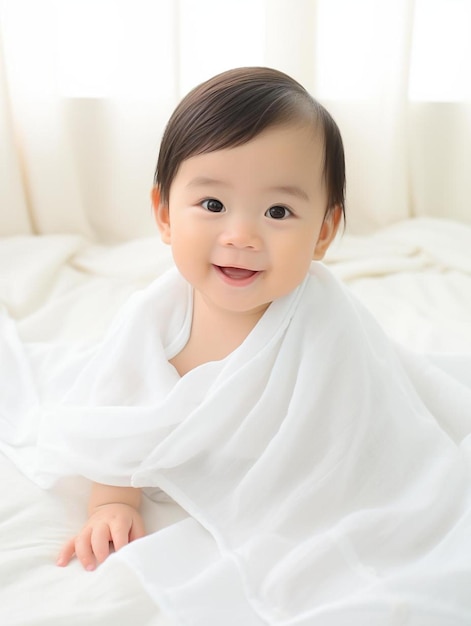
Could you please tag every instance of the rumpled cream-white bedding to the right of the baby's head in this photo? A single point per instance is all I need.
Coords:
(415, 277)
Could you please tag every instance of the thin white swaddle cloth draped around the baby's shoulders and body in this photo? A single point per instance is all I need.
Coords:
(327, 472)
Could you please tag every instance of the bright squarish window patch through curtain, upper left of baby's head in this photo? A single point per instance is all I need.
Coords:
(114, 48)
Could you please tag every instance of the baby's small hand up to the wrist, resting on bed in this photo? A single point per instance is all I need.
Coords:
(113, 523)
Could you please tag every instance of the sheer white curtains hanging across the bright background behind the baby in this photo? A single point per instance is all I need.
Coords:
(86, 87)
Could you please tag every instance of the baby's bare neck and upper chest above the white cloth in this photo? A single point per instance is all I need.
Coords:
(214, 335)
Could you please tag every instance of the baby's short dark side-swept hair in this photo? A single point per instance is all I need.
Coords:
(234, 107)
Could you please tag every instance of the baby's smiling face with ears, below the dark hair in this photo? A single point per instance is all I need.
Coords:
(244, 223)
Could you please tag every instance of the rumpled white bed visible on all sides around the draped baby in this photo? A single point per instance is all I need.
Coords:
(415, 276)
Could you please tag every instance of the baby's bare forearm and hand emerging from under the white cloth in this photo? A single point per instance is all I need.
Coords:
(113, 518)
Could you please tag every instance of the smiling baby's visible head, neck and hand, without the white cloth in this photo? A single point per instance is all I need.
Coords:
(248, 190)
